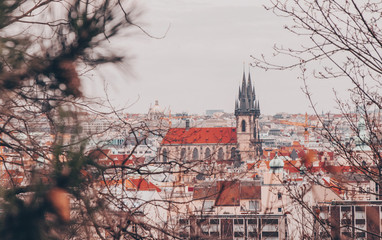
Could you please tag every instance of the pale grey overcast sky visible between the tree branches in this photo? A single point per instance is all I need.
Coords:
(198, 64)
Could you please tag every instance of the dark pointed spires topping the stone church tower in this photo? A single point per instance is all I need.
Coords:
(246, 102)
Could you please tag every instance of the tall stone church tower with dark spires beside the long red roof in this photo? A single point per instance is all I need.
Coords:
(247, 112)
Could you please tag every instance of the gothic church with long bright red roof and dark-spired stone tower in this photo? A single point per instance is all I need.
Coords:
(219, 144)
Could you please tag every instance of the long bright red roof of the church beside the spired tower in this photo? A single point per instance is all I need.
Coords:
(221, 135)
